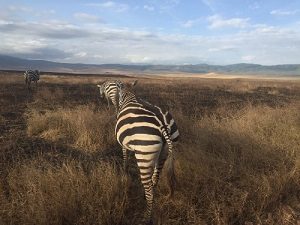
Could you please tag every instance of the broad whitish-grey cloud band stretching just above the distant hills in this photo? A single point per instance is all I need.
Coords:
(66, 42)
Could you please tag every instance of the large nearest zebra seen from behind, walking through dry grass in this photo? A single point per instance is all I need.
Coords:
(145, 129)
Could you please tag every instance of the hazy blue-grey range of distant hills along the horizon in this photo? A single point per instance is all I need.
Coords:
(14, 63)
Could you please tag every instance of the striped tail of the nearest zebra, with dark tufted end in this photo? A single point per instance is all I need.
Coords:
(170, 164)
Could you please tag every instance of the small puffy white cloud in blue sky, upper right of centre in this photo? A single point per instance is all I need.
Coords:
(217, 21)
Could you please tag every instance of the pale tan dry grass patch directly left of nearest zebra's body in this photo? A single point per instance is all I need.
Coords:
(81, 127)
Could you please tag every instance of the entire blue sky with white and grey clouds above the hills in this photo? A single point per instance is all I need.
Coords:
(152, 31)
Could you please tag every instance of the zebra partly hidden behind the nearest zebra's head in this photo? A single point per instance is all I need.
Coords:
(109, 89)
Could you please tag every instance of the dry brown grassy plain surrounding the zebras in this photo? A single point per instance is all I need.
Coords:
(237, 161)
